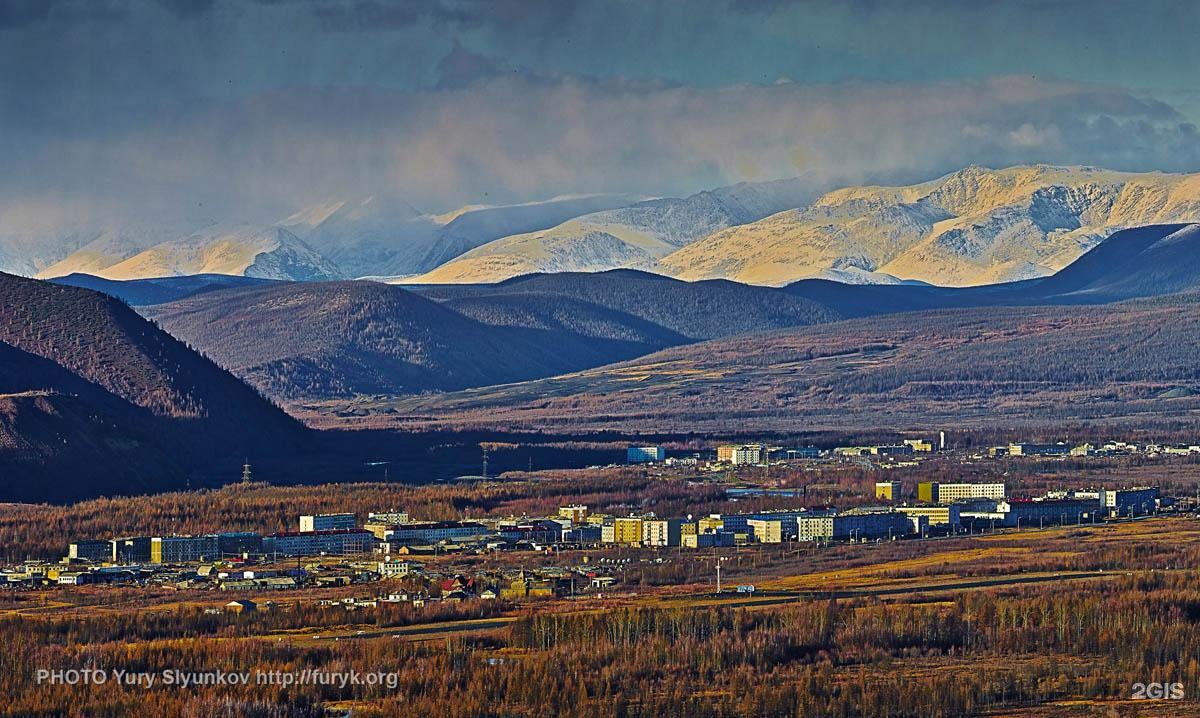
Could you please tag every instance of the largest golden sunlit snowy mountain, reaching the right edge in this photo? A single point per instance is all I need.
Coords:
(973, 228)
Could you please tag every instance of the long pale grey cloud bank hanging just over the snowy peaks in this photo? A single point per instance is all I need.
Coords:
(517, 137)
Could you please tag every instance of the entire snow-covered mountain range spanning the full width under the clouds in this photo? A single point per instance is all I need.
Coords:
(973, 228)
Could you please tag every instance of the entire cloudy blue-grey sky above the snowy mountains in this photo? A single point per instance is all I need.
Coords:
(251, 110)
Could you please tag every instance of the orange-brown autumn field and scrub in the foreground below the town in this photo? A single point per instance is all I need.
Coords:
(886, 637)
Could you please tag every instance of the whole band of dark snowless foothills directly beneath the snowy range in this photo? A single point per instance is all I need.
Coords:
(315, 342)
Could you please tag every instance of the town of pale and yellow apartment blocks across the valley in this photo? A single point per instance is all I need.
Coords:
(585, 552)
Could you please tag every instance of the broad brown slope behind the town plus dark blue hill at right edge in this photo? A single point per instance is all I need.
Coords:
(963, 357)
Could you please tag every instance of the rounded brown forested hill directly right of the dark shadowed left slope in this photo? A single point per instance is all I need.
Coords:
(339, 339)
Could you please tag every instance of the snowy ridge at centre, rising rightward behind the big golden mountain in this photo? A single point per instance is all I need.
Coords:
(632, 237)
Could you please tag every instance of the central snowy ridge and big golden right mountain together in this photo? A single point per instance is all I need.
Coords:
(973, 228)
